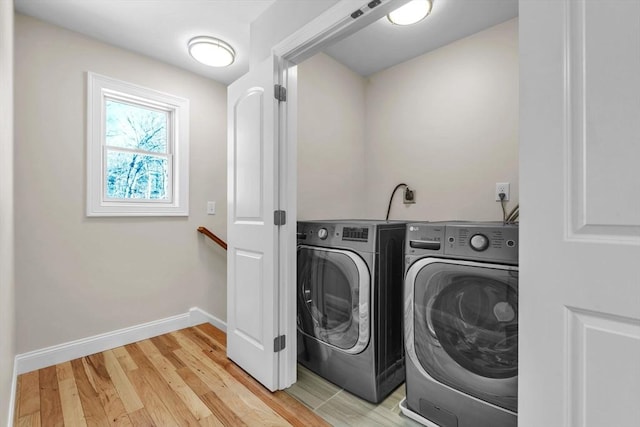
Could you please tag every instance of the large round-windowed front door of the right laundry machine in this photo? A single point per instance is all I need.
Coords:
(461, 327)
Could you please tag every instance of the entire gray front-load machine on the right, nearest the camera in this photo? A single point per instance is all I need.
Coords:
(461, 323)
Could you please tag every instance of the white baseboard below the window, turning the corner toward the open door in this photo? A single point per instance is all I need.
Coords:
(53, 355)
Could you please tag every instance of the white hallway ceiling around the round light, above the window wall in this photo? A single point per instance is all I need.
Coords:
(158, 28)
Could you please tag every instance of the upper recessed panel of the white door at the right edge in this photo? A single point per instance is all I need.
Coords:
(604, 122)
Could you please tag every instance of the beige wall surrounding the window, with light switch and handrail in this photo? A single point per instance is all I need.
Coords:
(76, 276)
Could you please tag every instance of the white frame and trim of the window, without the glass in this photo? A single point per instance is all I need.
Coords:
(100, 88)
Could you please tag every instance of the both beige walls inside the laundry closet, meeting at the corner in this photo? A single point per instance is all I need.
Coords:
(446, 123)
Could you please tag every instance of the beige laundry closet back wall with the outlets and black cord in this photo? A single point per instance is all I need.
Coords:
(446, 123)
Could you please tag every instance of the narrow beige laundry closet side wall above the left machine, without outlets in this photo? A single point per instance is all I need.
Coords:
(331, 146)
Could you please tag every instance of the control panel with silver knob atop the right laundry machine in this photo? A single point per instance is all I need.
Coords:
(490, 241)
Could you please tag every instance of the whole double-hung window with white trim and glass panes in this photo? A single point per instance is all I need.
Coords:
(137, 150)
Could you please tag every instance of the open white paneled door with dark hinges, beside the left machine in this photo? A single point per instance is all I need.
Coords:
(252, 269)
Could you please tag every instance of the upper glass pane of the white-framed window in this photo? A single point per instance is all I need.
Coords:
(135, 127)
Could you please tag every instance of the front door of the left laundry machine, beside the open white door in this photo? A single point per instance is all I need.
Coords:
(333, 297)
